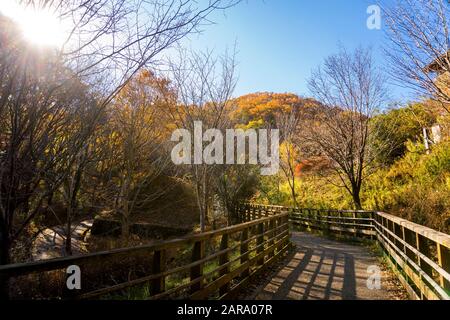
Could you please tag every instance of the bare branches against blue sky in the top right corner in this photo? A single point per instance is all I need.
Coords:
(419, 46)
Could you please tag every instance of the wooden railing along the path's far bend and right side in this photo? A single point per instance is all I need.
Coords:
(420, 256)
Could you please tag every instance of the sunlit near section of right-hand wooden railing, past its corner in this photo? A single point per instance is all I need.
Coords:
(420, 255)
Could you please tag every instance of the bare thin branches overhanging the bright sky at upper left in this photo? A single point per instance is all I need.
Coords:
(109, 41)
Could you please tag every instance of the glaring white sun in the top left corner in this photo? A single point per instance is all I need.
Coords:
(40, 27)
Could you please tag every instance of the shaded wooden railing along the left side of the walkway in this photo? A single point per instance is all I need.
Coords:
(207, 265)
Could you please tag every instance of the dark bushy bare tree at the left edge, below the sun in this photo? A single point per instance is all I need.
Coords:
(35, 109)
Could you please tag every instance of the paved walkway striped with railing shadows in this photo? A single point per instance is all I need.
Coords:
(324, 269)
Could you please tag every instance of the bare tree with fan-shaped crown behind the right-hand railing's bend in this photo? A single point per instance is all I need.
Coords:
(351, 90)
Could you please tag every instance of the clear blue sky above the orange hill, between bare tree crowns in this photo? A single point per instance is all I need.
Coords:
(280, 41)
